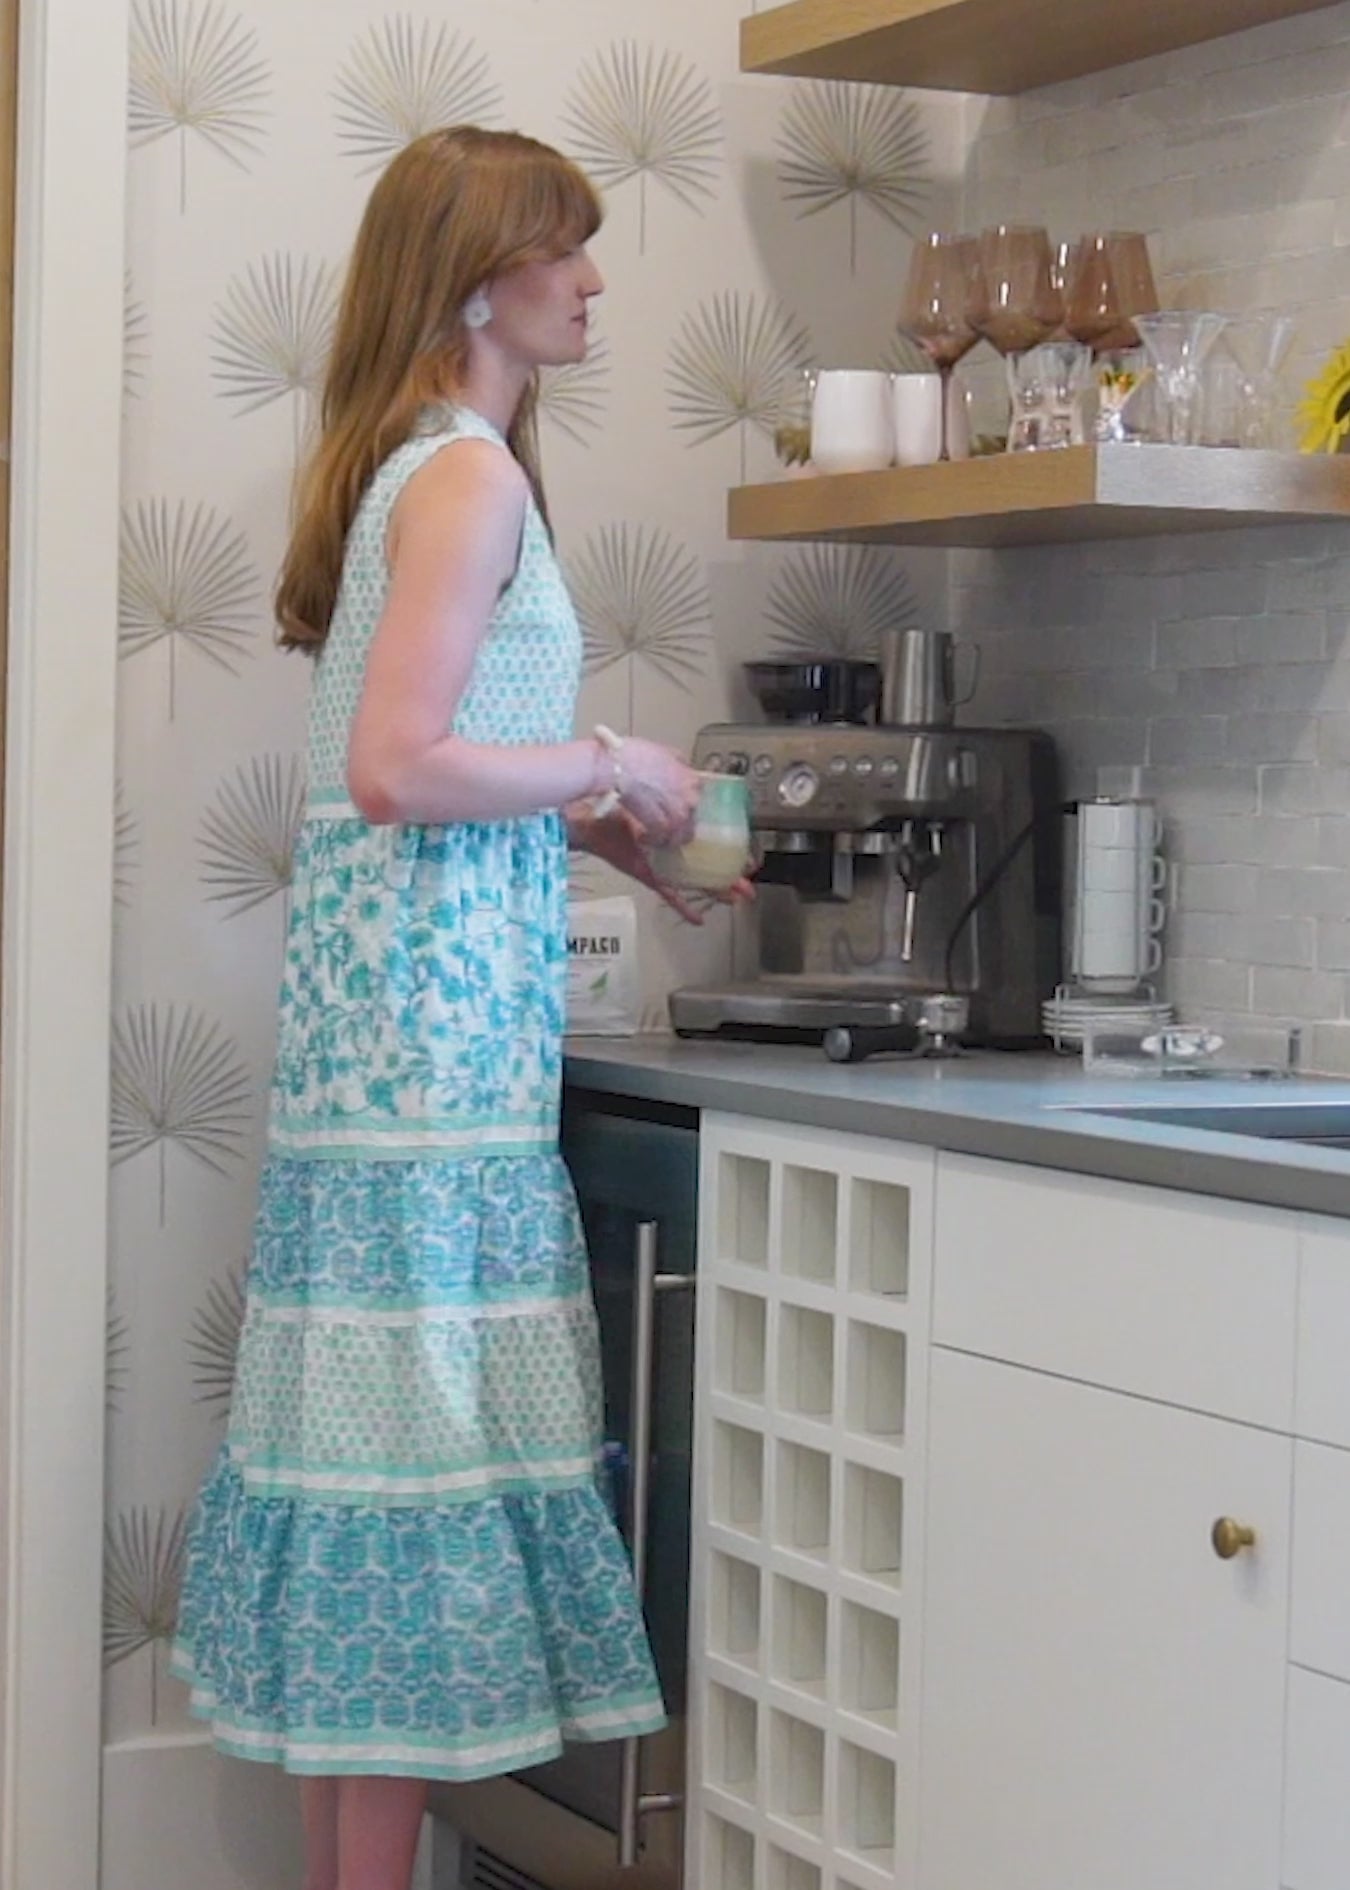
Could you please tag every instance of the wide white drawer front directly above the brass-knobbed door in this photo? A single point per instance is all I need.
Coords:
(1168, 1296)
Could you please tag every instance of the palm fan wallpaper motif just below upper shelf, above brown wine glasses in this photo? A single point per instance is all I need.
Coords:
(850, 145)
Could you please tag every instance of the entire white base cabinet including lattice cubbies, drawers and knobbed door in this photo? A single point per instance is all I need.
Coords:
(965, 1430)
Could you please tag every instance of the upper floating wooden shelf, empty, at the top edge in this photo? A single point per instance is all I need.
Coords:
(986, 46)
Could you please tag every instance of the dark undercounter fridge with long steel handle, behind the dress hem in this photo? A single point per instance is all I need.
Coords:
(610, 1817)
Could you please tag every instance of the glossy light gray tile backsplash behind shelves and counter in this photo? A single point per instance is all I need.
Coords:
(1215, 672)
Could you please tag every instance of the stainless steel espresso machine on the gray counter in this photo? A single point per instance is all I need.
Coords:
(910, 870)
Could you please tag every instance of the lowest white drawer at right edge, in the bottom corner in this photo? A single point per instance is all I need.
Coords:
(1317, 1804)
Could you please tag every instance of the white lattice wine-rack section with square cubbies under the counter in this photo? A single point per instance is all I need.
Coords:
(816, 1263)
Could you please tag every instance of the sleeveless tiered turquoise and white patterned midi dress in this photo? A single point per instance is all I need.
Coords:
(402, 1560)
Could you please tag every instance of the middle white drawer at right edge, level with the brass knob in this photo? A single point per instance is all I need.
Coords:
(1321, 1624)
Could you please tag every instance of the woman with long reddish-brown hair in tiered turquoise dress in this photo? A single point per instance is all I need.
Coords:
(402, 1566)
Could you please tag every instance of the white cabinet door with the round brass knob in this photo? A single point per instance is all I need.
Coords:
(1103, 1694)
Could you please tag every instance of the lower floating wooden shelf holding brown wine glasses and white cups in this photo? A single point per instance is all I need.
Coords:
(1075, 494)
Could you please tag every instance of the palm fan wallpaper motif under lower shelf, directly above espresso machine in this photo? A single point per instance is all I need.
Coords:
(839, 600)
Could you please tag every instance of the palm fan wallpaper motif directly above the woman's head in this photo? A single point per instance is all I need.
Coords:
(407, 78)
